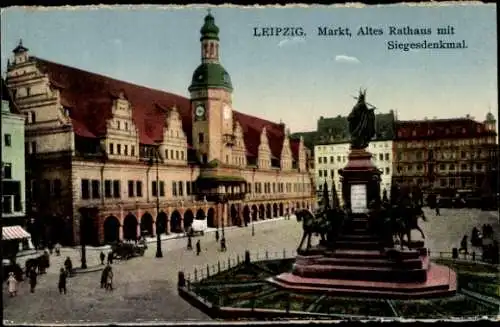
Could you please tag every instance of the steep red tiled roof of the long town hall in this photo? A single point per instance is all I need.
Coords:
(89, 98)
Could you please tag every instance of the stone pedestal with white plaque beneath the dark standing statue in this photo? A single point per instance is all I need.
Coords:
(360, 172)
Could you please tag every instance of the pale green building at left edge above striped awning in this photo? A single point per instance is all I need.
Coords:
(13, 172)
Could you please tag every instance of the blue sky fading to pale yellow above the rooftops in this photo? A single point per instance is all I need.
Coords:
(281, 78)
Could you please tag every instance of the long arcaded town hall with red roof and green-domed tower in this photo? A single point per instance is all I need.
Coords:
(106, 159)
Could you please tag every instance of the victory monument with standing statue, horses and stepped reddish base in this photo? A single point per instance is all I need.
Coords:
(366, 248)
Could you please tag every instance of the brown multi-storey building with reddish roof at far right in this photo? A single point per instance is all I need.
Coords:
(444, 155)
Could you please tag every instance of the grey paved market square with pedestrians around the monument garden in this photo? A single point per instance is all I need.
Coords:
(145, 287)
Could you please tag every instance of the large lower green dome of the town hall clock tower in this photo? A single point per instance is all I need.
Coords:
(211, 75)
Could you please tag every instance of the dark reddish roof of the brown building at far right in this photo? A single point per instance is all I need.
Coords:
(441, 128)
